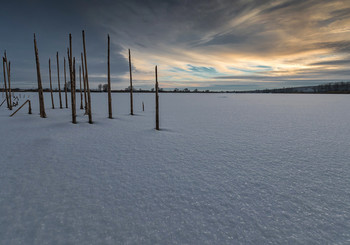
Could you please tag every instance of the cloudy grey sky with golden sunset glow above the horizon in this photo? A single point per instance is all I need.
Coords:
(197, 44)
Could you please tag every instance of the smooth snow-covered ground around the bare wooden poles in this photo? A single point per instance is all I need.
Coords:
(224, 169)
